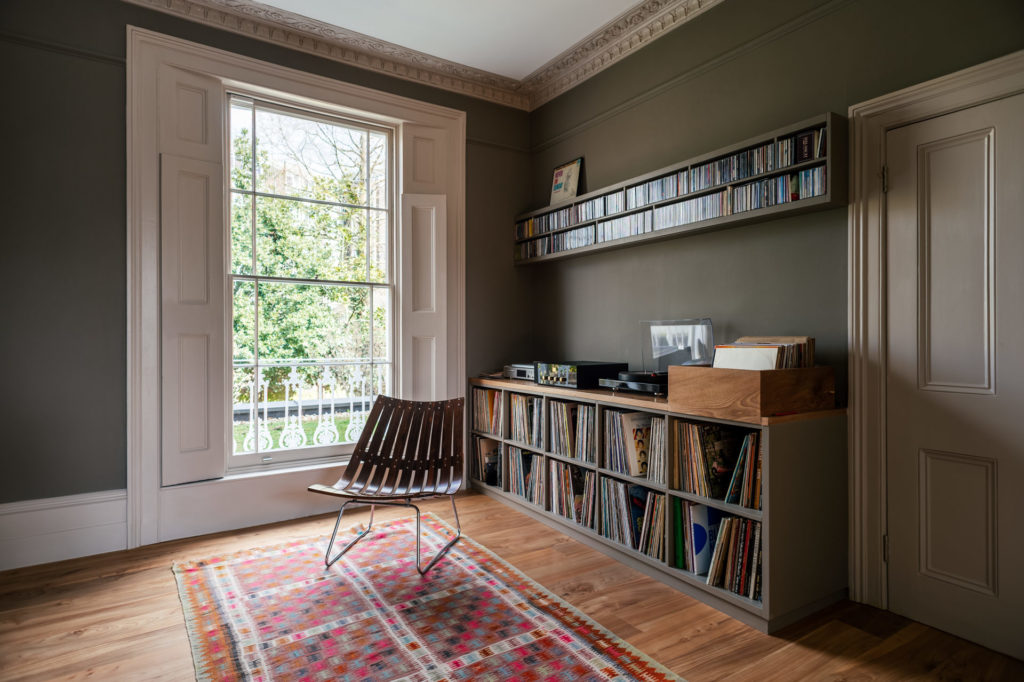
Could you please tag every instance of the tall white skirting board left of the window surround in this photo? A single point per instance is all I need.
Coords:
(56, 529)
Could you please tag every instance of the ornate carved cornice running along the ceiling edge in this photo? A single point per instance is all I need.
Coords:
(648, 22)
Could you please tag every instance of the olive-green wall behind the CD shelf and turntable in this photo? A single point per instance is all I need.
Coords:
(744, 68)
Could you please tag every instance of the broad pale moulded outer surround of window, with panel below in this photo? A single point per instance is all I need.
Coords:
(432, 151)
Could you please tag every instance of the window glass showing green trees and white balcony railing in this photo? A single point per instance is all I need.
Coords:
(312, 290)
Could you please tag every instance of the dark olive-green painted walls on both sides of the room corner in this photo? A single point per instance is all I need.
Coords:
(735, 72)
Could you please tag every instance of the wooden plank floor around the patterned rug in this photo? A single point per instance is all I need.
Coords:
(117, 617)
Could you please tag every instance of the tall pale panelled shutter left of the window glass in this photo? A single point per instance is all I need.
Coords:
(193, 262)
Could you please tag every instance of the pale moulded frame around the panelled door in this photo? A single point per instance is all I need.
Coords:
(868, 334)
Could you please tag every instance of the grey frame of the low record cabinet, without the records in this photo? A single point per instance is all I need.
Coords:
(803, 502)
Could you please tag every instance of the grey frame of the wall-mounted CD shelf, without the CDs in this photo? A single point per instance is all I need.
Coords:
(833, 161)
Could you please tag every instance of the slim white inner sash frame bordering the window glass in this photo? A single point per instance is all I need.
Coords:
(278, 459)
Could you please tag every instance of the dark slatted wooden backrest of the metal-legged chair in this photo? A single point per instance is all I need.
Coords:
(408, 448)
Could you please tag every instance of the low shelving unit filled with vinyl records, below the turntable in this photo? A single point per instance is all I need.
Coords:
(561, 459)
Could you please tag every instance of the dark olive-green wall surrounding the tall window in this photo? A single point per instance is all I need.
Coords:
(63, 264)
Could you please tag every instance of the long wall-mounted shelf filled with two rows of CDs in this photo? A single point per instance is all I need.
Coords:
(796, 169)
